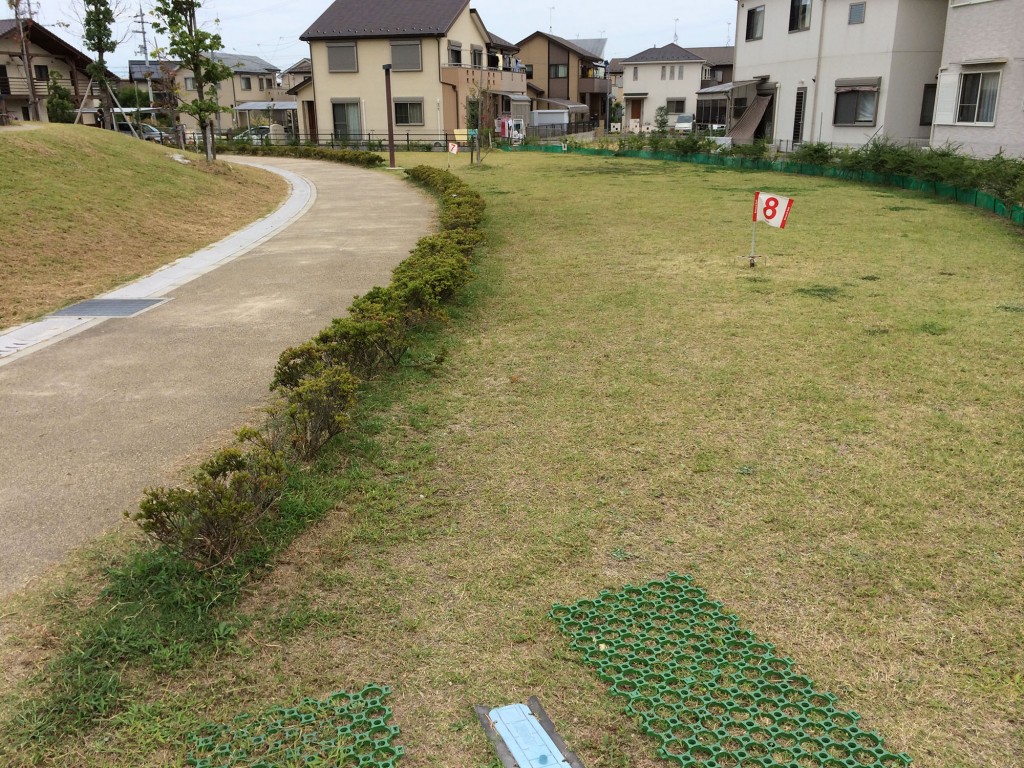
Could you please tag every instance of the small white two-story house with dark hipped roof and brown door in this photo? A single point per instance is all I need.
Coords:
(669, 77)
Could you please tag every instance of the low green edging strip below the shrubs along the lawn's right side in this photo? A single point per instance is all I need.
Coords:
(971, 197)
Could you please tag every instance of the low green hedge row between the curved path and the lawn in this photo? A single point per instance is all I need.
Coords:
(234, 498)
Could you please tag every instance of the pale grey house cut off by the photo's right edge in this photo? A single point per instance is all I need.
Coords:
(979, 96)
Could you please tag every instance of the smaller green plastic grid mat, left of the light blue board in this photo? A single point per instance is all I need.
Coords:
(348, 731)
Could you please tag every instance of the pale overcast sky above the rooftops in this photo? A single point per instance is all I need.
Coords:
(271, 29)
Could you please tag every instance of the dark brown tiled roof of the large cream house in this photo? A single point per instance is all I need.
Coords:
(359, 19)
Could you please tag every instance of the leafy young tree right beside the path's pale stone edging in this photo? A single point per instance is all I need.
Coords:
(193, 48)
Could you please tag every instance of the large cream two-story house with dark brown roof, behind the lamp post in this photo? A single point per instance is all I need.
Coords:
(444, 65)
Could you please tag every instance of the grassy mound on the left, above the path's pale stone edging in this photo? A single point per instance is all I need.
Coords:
(87, 210)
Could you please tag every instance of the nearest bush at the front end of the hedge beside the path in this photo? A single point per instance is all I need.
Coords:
(235, 494)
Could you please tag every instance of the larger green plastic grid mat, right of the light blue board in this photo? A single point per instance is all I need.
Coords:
(708, 691)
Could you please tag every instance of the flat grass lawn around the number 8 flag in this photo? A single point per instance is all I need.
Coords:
(832, 447)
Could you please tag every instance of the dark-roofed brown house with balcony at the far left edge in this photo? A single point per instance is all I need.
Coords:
(26, 71)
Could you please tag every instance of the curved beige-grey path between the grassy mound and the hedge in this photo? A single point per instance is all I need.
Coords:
(92, 419)
